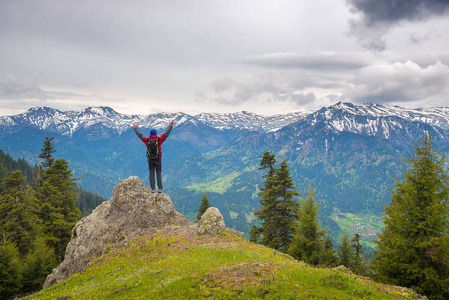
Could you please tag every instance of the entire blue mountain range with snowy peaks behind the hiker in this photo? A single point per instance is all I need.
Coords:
(348, 153)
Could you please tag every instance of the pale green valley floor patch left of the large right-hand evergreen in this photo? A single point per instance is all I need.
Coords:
(367, 225)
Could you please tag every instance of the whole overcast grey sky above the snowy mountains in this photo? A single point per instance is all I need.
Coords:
(268, 57)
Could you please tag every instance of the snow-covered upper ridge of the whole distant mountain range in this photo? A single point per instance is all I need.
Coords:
(368, 119)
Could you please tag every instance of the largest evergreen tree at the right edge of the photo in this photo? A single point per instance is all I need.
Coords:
(413, 248)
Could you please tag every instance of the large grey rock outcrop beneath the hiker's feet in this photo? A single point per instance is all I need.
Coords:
(132, 212)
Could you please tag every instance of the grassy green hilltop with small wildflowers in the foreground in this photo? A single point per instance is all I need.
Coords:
(204, 267)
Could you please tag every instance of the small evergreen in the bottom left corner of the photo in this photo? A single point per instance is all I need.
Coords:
(10, 271)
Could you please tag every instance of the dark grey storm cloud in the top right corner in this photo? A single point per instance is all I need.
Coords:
(377, 17)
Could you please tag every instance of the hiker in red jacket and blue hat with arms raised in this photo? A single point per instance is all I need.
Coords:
(154, 154)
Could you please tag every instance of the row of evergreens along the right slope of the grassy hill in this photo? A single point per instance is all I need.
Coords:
(413, 248)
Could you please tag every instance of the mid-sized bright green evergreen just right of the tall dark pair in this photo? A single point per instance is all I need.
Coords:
(308, 242)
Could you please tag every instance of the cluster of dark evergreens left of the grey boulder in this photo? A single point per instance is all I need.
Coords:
(38, 209)
